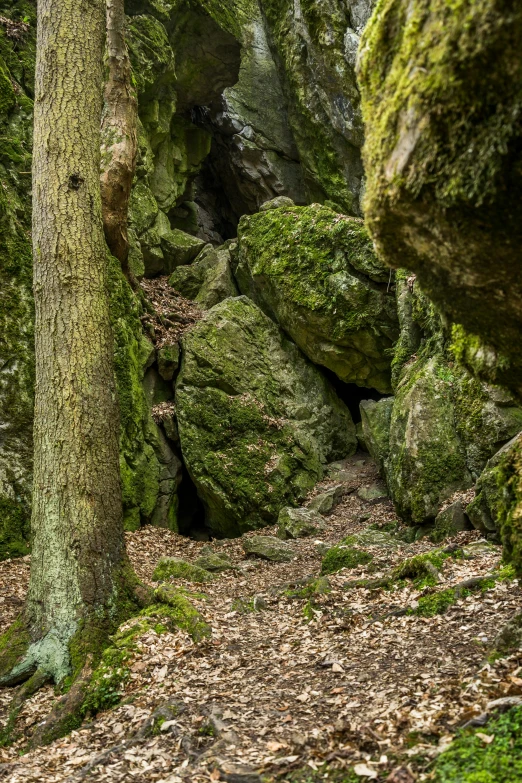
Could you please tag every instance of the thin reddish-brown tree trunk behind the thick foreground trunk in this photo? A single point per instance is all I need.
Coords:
(119, 137)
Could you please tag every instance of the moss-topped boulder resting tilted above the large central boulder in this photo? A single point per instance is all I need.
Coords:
(316, 274)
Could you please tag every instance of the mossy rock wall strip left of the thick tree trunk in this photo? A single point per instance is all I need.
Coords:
(16, 307)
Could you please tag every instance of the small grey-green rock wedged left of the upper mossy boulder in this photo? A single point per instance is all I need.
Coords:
(208, 280)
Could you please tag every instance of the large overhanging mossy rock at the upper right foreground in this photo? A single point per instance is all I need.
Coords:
(442, 93)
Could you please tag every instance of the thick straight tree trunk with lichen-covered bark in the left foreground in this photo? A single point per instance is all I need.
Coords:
(78, 556)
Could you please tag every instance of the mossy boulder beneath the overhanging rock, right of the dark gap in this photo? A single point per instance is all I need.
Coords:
(436, 434)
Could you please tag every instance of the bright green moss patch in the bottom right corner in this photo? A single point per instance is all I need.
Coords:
(470, 760)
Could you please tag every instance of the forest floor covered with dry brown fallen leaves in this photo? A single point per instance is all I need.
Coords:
(305, 688)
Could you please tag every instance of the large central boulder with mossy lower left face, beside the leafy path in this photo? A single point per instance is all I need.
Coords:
(257, 422)
